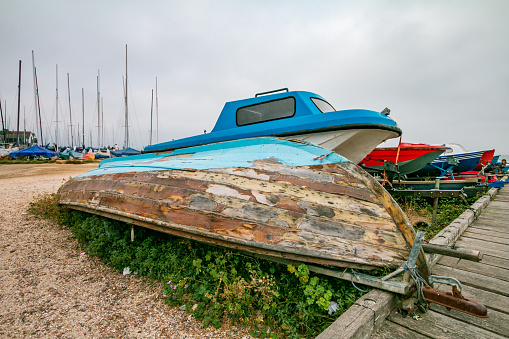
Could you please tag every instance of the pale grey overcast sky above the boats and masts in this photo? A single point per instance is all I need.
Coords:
(442, 67)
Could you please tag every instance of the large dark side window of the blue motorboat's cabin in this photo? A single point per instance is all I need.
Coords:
(266, 111)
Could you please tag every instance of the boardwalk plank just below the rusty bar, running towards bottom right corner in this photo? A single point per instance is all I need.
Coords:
(437, 325)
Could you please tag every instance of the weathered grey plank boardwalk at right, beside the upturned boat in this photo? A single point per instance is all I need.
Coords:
(486, 282)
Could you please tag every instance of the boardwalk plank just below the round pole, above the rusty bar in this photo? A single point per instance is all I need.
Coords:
(474, 279)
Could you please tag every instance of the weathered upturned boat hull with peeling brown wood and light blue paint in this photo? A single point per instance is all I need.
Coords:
(265, 195)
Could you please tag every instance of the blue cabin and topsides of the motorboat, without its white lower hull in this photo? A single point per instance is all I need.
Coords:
(280, 114)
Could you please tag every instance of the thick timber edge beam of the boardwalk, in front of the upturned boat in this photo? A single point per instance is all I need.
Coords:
(363, 318)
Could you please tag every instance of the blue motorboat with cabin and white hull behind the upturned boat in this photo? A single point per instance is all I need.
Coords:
(300, 115)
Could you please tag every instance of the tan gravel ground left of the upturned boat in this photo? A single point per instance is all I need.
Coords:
(49, 289)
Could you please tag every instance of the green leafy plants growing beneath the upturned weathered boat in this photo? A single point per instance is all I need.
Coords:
(216, 285)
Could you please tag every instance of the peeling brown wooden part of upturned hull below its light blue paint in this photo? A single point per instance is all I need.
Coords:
(254, 204)
